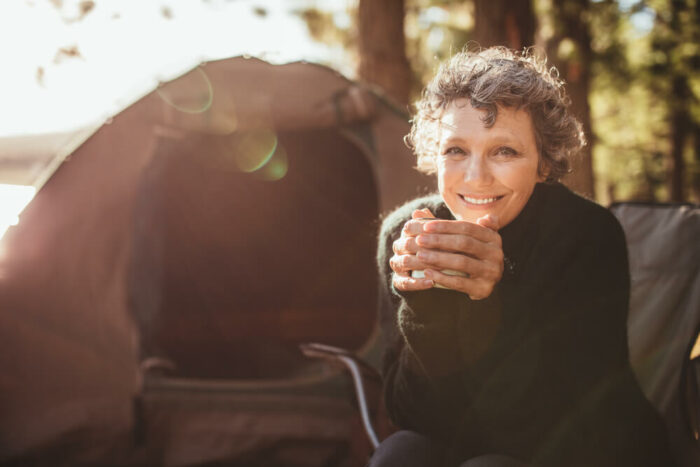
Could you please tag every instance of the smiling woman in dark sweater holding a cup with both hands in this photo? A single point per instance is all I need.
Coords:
(508, 312)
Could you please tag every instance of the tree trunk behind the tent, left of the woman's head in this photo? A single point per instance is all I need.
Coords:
(382, 47)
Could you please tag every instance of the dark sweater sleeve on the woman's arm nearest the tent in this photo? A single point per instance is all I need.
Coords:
(426, 365)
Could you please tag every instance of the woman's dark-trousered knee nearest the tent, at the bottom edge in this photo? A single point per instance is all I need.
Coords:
(405, 449)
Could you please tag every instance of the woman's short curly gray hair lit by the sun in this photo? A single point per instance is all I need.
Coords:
(500, 77)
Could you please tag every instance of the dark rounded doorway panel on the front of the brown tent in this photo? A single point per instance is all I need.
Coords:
(244, 269)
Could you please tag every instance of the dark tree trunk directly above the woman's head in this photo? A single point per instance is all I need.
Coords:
(504, 22)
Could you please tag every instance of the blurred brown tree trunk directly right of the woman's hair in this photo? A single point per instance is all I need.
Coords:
(575, 70)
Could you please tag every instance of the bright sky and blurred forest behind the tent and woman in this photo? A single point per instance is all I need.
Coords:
(631, 68)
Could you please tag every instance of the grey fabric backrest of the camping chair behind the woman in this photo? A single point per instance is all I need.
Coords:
(664, 256)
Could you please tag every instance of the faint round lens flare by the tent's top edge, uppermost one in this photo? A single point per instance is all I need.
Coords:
(191, 94)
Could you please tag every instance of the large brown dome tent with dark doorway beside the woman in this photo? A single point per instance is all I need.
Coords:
(213, 225)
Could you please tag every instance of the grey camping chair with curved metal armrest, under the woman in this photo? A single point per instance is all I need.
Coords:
(663, 324)
